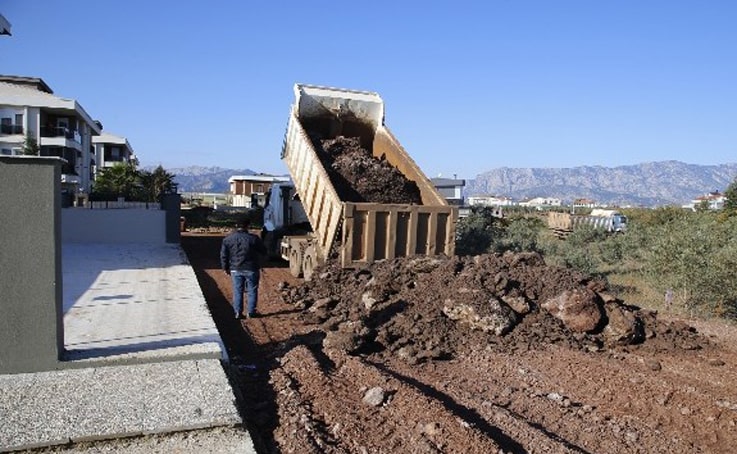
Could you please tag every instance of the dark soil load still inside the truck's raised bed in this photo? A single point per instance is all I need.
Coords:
(358, 176)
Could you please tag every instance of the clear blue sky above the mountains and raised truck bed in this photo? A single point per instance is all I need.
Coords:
(468, 86)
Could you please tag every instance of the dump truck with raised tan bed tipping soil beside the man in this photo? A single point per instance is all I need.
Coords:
(354, 234)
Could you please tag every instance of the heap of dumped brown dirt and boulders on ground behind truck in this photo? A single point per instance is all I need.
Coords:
(426, 308)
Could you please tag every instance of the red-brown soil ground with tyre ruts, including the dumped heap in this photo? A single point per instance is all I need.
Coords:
(377, 360)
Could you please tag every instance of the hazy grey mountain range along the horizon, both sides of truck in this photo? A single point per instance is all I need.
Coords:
(646, 184)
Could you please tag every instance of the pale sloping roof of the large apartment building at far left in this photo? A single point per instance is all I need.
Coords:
(33, 92)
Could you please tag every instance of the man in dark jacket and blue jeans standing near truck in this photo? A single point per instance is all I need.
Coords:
(240, 257)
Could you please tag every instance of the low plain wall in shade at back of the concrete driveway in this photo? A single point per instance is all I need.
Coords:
(81, 225)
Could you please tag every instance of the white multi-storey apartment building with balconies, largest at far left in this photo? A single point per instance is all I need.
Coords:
(30, 112)
